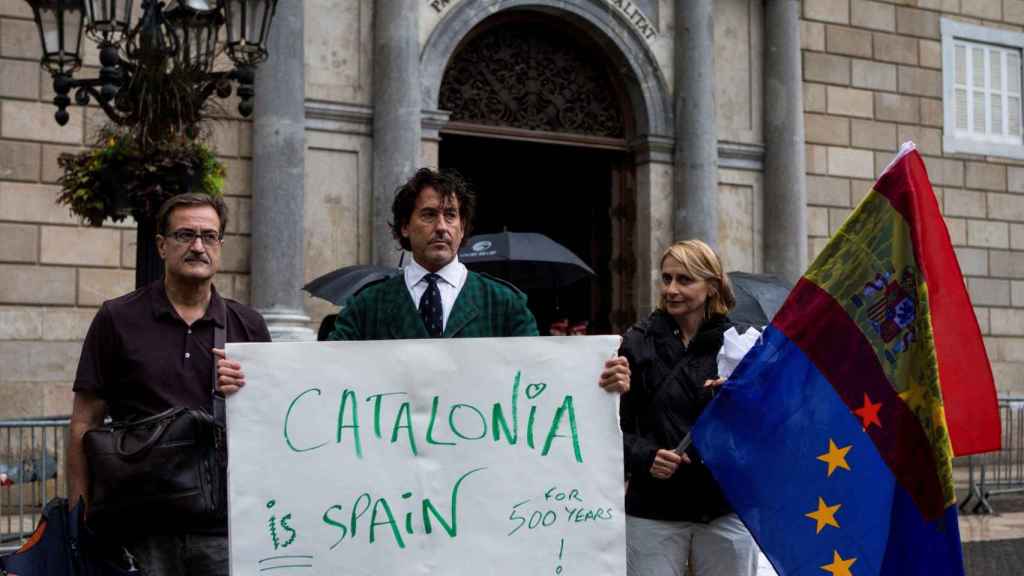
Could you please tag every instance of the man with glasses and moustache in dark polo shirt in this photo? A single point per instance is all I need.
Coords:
(153, 350)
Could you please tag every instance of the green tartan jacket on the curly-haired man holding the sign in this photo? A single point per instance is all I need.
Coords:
(486, 308)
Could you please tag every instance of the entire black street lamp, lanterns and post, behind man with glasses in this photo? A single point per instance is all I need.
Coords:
(157, 74)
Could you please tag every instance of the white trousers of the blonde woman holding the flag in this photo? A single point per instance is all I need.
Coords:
(656, 548)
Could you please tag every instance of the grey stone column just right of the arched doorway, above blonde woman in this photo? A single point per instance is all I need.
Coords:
(697, 132)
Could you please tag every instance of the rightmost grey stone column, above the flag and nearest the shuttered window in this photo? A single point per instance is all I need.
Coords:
(785, 188)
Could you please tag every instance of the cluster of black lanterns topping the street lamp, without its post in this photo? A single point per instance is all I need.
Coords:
(167, 52)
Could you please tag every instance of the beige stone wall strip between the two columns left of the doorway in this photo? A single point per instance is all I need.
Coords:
(339, 87)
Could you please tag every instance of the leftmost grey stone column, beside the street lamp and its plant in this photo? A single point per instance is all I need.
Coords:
(279, 181)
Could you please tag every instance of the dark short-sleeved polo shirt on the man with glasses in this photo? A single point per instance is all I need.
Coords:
(143, 359)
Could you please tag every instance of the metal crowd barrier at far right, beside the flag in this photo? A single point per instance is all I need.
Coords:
(1003, 472)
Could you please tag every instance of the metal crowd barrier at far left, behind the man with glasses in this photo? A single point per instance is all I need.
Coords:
(32, 472)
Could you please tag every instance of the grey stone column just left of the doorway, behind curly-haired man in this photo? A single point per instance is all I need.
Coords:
(398, 101)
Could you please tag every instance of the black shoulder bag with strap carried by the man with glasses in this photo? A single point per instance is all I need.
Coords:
(173, 465)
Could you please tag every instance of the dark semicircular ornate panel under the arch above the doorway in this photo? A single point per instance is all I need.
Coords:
(529, 71)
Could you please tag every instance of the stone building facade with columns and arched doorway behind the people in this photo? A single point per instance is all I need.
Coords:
(612, 126)
